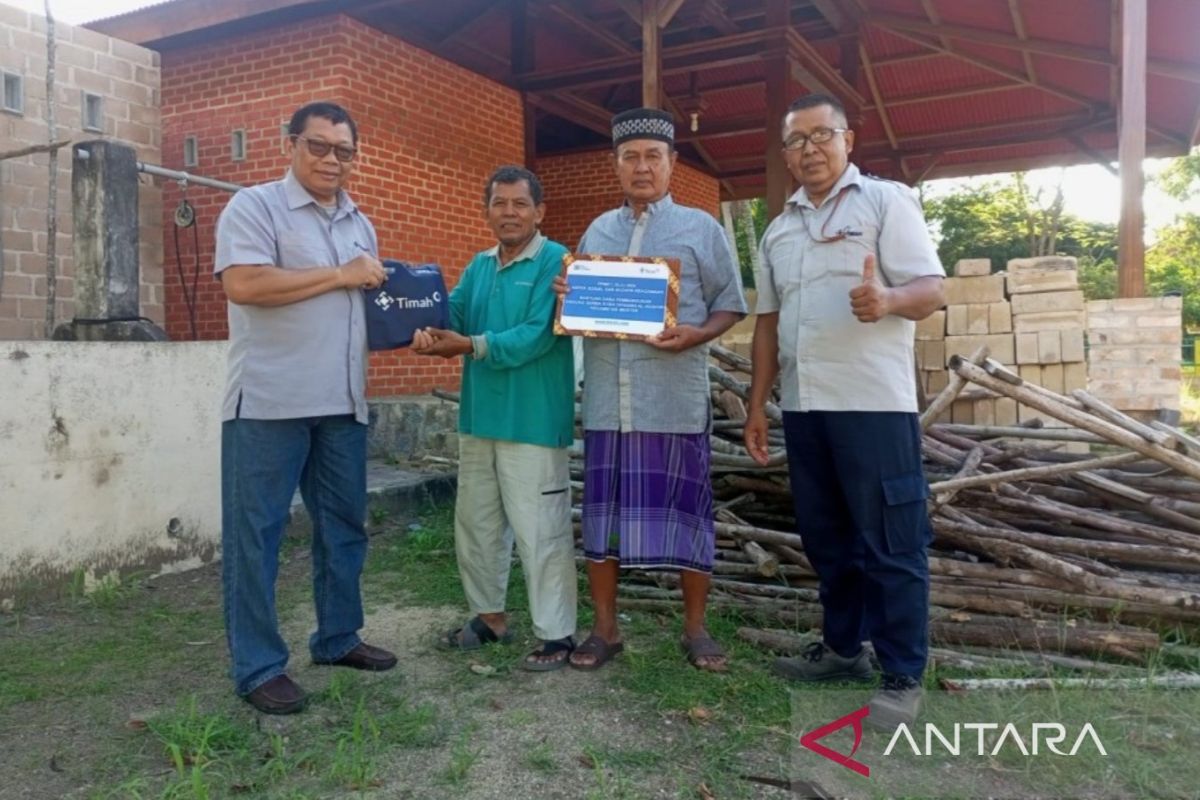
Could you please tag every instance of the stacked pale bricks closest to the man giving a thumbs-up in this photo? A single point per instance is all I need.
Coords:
(976, 314)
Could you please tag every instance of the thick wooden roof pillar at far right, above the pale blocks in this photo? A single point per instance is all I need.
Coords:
(1132, 151)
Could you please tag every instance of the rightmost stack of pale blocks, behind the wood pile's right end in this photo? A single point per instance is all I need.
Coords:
(1135, 353)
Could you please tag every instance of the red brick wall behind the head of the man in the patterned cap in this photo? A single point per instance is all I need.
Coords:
(583, 187)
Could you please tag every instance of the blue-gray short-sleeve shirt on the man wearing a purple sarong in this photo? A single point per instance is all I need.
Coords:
(633, 387)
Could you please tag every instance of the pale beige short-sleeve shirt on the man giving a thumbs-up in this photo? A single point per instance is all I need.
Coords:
(830, 362)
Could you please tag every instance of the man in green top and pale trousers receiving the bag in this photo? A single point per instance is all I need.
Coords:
(517, 420)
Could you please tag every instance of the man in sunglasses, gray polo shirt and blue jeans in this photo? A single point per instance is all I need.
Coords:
(293, 257)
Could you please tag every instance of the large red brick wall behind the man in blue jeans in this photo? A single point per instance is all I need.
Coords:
(430, 134)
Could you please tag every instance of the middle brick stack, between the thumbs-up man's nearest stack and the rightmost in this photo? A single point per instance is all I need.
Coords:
(1049, 320)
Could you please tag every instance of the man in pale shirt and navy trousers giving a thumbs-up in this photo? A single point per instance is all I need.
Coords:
(847, 269)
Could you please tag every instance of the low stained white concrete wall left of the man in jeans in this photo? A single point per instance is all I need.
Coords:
(103, 446)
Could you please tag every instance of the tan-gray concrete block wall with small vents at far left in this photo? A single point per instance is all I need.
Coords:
(127, 79)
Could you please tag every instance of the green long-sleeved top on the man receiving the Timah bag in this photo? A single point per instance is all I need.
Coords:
(519, 384)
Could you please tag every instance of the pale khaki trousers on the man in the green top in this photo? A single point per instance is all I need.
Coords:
(512, 491)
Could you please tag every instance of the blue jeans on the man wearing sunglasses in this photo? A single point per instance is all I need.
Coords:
(262, 465)
